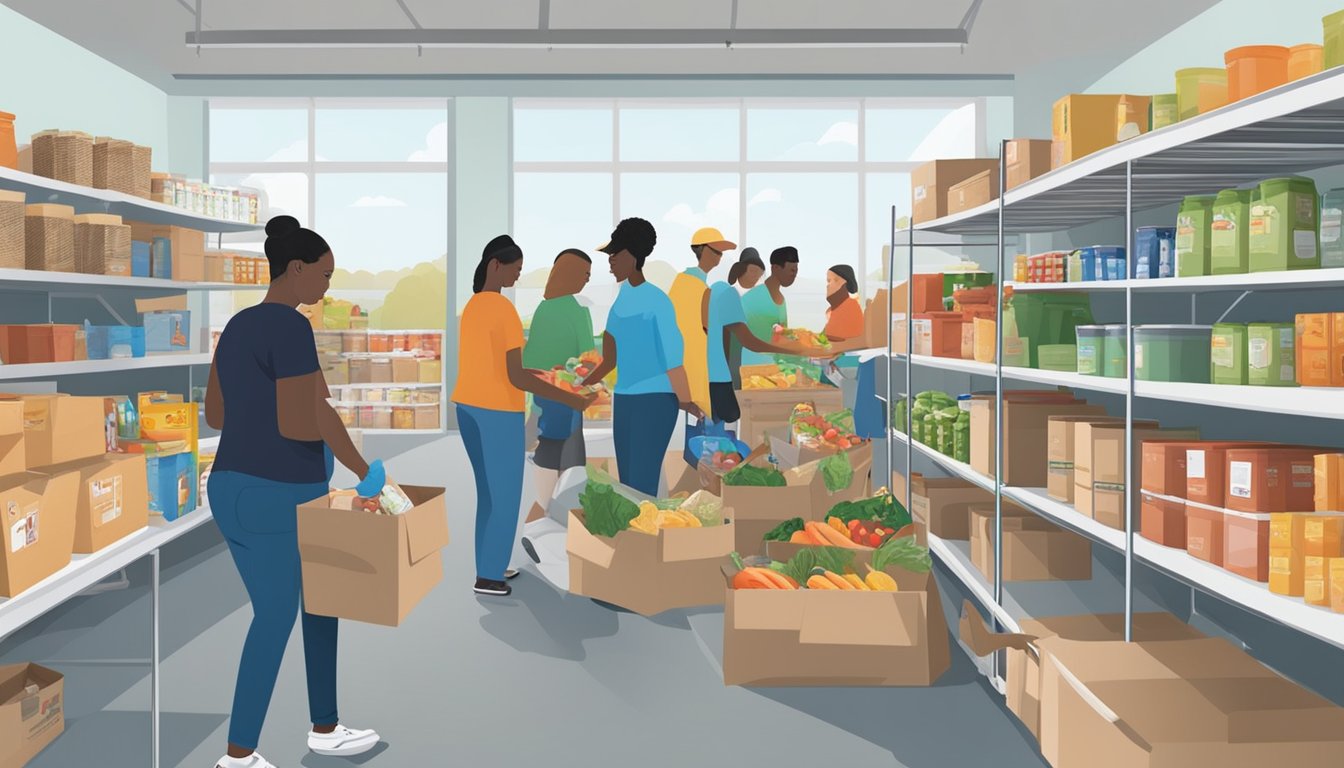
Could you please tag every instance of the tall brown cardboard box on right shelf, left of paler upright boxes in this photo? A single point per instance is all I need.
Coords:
(1026, 438)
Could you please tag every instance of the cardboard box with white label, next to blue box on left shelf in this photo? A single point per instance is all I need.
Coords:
(112, 498)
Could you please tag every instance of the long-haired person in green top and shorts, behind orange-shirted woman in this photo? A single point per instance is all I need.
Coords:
(561, 329)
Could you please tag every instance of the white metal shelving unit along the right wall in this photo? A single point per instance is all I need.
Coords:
(1295, 128)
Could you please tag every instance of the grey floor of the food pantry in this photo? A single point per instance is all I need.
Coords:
(541, 679)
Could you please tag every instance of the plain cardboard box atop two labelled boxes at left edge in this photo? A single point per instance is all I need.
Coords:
(60, 428)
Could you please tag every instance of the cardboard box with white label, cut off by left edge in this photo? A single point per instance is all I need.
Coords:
(38, 528)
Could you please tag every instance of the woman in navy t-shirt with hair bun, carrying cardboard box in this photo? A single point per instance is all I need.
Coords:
(276, 453)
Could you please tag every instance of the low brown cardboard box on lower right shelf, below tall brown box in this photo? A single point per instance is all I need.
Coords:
(1034, 548)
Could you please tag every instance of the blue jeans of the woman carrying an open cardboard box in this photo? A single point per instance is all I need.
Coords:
(259, 520)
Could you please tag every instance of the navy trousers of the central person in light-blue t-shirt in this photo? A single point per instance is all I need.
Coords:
(642, 428)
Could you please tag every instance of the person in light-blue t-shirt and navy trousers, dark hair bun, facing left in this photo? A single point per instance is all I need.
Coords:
(651, 385)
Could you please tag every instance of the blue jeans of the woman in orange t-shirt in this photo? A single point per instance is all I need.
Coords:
(495, 445)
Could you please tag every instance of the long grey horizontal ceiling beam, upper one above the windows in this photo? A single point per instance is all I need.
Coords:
(575, 38)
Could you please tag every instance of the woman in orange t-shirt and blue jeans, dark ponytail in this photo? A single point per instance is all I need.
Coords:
(491, 381)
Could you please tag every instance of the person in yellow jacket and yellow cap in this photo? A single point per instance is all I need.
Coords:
(690, 295)
